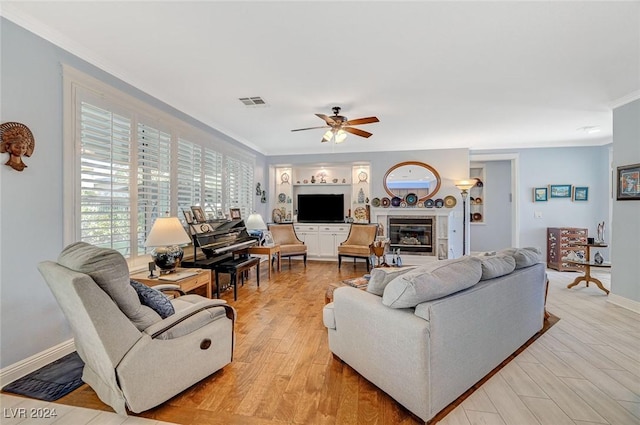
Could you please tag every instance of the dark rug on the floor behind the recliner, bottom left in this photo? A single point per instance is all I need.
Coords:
(52, 381)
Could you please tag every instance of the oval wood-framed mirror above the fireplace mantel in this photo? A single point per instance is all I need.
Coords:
(412, 177)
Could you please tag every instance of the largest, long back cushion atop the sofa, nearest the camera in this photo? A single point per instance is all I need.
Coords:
(432, 281)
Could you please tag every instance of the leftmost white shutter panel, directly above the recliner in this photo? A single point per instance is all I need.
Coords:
(105, 162)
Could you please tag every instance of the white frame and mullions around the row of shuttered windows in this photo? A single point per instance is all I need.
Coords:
(78, 87)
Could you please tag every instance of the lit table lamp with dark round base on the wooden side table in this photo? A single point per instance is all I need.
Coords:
(166, 236)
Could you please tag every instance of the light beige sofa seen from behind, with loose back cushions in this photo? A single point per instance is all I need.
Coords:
(426, 335)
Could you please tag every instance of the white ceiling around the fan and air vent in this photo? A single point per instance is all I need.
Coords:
(437, 74)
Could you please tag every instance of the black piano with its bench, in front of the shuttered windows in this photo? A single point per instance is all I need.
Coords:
(224, 246)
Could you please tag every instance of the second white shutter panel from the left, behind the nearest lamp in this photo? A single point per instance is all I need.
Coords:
(154, 180)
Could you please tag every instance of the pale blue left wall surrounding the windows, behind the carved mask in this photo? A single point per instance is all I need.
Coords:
(31, 222)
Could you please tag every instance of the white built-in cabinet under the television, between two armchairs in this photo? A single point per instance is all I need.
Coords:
(322, 240)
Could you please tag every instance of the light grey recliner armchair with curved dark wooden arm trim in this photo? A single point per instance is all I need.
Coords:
(133, 357)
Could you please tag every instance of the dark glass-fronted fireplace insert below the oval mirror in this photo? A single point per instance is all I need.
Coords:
(412, 235)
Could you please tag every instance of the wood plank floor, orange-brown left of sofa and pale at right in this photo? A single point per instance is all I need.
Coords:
(585, 370)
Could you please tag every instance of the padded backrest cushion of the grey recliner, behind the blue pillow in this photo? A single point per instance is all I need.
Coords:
(110, 271)
